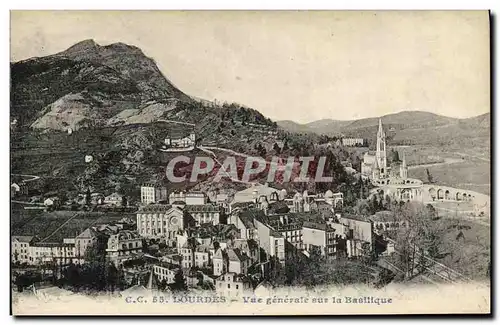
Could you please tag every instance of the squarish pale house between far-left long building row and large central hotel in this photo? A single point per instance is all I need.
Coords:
(123, 246)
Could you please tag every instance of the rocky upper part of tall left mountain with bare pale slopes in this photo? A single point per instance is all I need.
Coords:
(88, 85)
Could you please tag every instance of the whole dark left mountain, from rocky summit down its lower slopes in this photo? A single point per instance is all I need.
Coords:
(120, 108)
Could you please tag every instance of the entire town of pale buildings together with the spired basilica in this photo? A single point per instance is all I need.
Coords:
(230, 243)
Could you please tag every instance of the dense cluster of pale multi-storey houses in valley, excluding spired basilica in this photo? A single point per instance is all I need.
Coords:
(224, 241)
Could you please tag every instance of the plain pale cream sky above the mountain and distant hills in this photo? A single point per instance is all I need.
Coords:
(301, 66)
